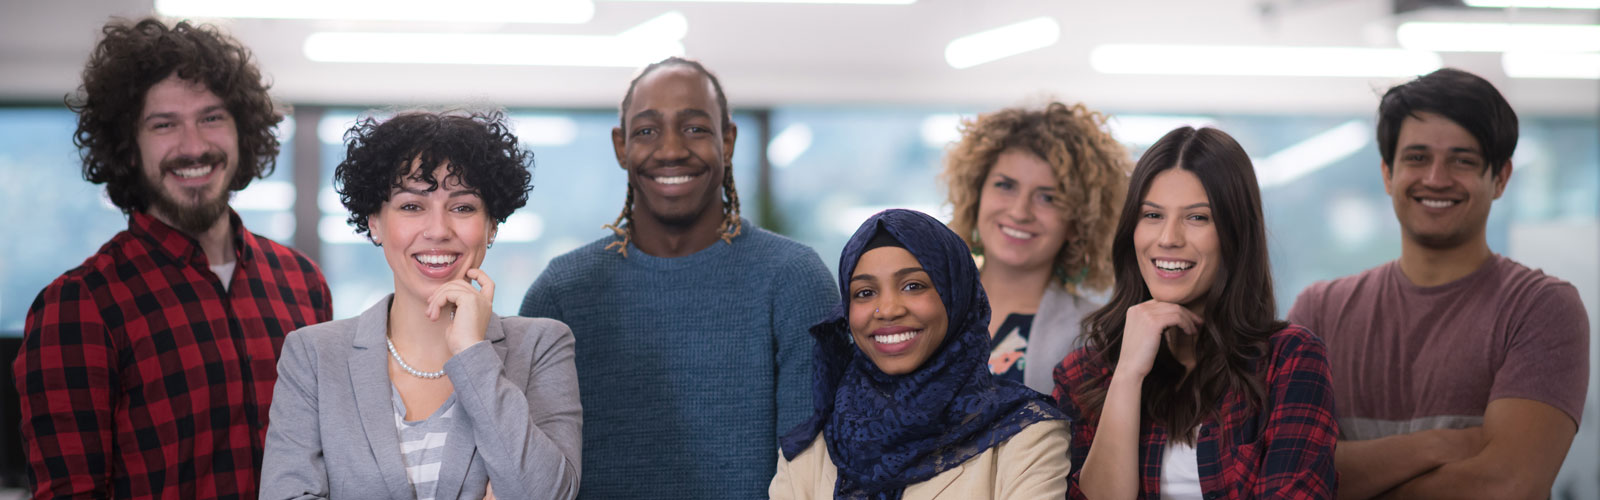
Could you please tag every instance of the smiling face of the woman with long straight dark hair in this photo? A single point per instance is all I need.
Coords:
(1177, 240)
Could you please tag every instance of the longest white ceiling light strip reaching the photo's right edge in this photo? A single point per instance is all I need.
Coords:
(1498, 38)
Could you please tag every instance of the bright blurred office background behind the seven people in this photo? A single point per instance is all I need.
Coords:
(844, 108)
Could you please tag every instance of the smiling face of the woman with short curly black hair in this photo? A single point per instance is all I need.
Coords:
(431, 238)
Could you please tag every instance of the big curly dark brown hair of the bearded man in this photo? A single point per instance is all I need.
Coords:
(134, 57)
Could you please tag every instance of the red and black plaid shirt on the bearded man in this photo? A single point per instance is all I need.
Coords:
(142, 377)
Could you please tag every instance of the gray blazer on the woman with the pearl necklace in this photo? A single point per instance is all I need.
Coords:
(334, 424)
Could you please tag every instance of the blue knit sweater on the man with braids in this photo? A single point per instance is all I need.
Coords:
(689, 369)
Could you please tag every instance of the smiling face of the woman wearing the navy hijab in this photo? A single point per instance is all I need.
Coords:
(895, 313)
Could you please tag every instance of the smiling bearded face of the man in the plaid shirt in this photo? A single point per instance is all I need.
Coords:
(188, 153)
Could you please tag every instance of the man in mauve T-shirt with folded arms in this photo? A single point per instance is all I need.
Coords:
(1458, 373)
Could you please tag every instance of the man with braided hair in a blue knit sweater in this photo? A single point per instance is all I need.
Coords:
(692, 326)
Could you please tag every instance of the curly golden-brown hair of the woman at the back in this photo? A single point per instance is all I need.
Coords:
(1092, 174)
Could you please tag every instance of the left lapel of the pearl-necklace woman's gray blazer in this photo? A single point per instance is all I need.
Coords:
(370, 379)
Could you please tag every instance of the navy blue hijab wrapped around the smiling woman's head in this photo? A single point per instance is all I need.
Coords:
(889, 432)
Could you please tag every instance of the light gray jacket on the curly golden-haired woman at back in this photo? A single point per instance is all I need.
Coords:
(1054, 336)
